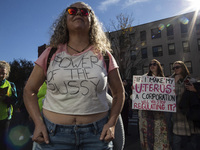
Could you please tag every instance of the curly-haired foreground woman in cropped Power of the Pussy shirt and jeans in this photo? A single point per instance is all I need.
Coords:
(75, 109)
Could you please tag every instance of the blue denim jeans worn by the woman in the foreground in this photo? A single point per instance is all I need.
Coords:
(75, 137)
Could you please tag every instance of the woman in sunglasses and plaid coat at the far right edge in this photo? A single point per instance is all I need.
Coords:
(185, 134)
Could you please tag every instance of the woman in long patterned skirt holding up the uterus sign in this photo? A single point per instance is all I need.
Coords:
(152, 124)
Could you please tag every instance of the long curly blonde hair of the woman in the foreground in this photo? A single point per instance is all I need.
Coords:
(97, 36)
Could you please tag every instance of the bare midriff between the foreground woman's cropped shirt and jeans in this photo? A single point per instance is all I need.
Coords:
(64, 119)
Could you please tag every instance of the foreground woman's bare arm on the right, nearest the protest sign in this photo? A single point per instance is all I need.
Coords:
(117, 90)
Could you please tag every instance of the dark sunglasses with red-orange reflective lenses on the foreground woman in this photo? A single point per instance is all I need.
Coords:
(74, 10)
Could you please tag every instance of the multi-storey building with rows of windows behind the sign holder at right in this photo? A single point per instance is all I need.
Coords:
(167, 40)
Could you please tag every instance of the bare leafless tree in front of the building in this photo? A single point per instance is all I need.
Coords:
(125, 44)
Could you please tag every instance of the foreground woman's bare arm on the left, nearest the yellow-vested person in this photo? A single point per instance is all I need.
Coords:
(34, 82)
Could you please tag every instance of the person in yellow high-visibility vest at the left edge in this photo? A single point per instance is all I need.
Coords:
(8, 98)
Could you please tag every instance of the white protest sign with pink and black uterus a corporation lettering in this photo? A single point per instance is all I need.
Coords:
(154, 93)
